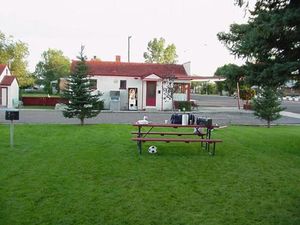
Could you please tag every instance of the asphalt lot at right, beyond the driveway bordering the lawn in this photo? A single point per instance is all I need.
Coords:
(225, 101)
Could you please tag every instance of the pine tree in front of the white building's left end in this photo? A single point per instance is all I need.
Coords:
(82, 103)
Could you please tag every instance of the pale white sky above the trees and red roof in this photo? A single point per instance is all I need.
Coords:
(104, 26)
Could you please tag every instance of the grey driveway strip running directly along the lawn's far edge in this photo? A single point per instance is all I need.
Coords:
(220, 115)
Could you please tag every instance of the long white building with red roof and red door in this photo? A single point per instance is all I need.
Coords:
(138, 86)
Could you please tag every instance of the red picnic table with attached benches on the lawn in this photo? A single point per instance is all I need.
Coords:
(205, 137)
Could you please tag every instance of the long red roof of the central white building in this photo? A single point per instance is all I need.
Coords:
(134, 69)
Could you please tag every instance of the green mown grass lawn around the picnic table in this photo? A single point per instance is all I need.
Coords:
(67, 174)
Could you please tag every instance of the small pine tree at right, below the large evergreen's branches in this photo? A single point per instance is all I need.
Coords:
(267, 106)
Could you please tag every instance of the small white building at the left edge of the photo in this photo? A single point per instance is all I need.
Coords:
(9, 88)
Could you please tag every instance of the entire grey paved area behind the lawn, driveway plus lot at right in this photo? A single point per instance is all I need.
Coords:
(222, 110)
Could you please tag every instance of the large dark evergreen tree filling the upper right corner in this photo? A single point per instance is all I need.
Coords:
(269, 42)
